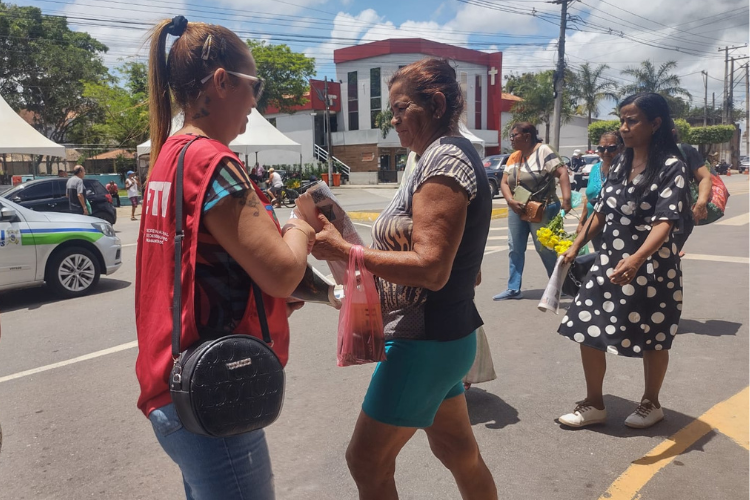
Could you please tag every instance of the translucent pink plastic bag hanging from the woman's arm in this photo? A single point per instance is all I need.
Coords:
(361, 337)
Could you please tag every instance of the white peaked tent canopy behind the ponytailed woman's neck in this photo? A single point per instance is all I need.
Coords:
(259, 136)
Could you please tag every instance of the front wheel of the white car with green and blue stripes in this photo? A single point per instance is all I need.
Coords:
(73, 272)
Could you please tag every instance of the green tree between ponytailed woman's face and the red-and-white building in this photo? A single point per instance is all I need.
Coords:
(286, 74)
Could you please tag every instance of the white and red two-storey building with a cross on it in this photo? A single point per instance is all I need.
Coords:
(364, 71)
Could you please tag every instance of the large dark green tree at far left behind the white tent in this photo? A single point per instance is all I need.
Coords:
(43, 67)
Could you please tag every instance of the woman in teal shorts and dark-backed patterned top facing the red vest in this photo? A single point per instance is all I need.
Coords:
(427, 251)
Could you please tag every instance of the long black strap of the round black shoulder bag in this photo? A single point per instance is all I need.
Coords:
(177, 299)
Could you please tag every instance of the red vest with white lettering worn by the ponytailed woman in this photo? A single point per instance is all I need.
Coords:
(154, 277)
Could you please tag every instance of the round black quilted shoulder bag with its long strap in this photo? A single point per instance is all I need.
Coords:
(225, 386)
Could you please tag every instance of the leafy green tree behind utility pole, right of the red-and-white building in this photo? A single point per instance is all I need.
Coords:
(538, 105)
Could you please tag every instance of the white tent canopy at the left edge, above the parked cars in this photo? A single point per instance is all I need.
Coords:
(17, 136)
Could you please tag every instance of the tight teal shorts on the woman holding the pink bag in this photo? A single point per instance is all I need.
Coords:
(408, 389)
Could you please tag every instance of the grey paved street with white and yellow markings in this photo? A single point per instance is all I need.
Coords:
(71, 429)
